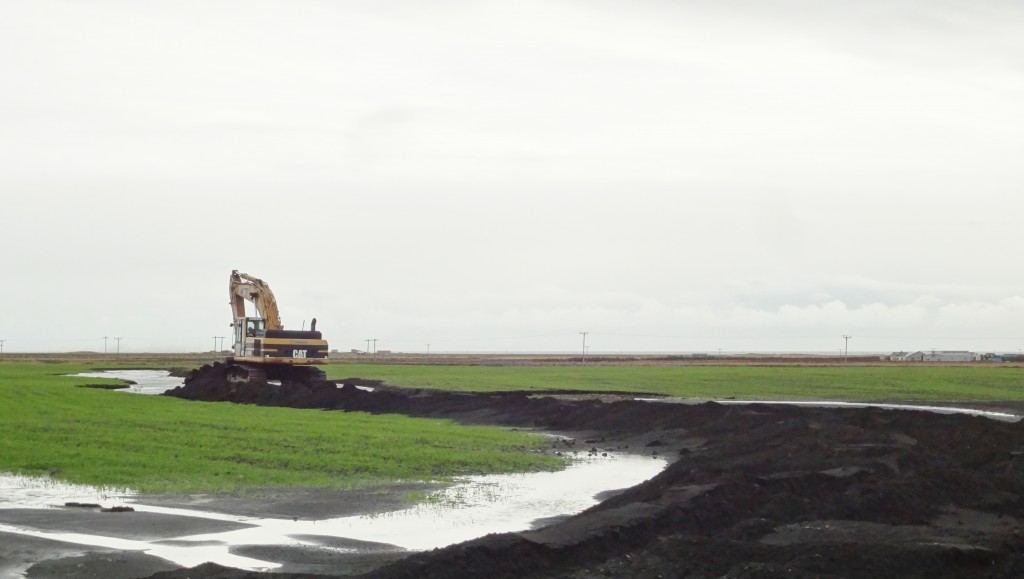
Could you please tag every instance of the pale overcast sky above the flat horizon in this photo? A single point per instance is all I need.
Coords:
(668, 176)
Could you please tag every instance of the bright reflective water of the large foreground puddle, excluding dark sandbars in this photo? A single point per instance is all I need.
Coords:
(473, 508)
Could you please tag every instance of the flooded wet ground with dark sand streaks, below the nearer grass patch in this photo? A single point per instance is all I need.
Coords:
(188, 532)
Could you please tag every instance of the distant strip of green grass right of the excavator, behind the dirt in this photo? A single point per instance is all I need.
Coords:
(750, 383)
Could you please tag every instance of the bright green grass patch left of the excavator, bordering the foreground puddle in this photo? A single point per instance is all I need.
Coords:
(157, 444)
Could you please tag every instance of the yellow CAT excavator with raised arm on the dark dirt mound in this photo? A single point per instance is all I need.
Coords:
(264, 350)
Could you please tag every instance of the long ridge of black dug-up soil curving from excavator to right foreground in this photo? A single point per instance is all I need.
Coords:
(754, 491)
